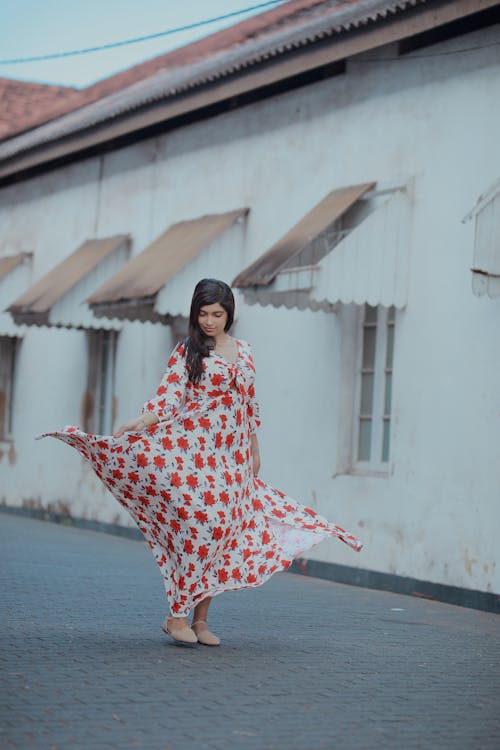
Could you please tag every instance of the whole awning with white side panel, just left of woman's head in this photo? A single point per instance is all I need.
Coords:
(157, 284)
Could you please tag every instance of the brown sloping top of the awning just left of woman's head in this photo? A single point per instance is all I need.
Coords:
(145, 274)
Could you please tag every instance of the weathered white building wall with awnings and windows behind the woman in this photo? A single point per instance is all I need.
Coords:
(355, 219)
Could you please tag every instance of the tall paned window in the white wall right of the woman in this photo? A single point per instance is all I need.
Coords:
(372, 431)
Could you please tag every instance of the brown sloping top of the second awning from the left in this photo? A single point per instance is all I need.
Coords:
(35, 304)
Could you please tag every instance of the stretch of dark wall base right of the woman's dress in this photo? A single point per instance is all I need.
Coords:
(371, 579)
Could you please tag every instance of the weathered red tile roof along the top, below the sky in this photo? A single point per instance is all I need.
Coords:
(27, 105)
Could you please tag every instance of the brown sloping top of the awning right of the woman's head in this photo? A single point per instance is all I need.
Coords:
(262, 271)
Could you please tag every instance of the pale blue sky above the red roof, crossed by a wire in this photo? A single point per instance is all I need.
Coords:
(38, 27)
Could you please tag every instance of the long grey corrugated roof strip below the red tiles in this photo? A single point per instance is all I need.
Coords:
(323, 20)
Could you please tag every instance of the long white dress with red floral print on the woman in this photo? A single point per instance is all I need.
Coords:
(188, 483)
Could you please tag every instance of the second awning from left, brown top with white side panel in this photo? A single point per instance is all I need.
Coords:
(57, 298)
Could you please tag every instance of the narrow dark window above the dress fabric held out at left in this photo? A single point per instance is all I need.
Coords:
(99, 401)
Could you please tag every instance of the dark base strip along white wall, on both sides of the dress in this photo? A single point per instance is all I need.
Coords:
(369, 579)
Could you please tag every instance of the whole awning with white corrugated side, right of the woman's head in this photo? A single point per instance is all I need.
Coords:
(362, 259)
